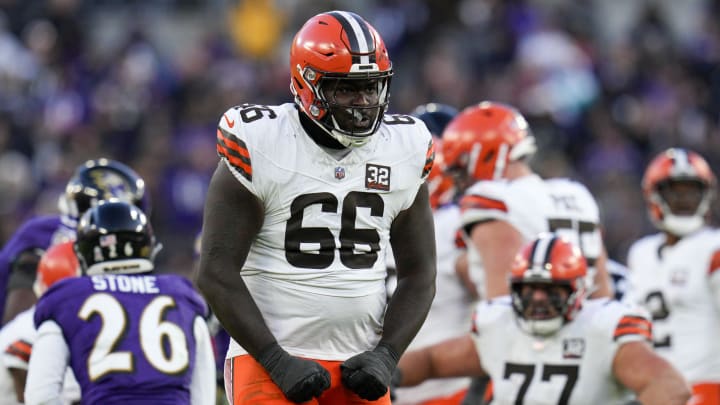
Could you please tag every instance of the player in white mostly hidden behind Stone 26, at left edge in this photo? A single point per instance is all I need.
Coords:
(18, 336)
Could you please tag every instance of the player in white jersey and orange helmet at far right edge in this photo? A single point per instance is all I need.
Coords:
(674, 273)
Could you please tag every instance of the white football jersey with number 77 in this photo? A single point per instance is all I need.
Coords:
(571, 367)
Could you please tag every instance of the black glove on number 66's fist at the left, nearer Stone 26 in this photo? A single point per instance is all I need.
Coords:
(299, 379)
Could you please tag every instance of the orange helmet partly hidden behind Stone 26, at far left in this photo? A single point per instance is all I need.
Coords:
(58, 262)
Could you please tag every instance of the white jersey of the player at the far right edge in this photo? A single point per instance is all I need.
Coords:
(674, 284)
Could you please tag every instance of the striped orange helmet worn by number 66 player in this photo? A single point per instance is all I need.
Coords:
(332, 47)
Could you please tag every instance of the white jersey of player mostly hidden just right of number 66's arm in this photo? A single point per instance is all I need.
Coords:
(450, 313)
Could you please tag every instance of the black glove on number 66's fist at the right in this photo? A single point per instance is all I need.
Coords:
(368, 374)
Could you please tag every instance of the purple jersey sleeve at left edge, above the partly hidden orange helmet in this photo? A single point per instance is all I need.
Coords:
(36, 233)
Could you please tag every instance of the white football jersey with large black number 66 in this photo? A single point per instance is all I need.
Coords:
(317, 267)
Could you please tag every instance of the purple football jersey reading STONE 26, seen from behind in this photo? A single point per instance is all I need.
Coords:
(130, 336)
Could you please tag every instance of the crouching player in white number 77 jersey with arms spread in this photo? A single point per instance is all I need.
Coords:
(547, 344)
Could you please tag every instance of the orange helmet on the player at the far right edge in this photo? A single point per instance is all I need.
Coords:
(671, 166)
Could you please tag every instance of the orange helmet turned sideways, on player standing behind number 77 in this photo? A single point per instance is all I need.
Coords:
(484, 138)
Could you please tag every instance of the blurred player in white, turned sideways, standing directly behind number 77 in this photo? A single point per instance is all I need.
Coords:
(489, 144)
